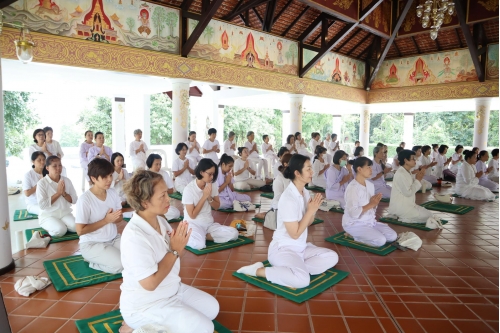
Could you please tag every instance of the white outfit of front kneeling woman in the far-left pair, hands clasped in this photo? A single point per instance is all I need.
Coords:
(55, 217)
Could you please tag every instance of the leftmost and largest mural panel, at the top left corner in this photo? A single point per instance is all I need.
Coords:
(123, 22)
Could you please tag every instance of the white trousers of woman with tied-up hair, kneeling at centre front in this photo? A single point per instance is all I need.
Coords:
(292, 268)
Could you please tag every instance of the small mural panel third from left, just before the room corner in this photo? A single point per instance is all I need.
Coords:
(336, 68)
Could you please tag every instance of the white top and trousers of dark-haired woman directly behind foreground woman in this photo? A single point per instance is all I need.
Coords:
(101, 248)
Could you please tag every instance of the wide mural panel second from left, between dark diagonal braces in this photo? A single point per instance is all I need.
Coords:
(236, 45)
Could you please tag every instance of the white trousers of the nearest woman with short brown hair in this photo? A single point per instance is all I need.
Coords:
(189, 311)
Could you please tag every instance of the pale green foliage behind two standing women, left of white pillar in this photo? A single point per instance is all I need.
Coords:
(97, 118)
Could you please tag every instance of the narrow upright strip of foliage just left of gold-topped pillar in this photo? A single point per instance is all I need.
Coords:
(161, 119)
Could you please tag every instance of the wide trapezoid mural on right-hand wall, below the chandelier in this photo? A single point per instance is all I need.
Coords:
(436, 68)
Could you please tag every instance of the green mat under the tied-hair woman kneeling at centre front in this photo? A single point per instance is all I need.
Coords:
(318, 284)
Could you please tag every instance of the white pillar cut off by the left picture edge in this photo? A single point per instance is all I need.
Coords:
(6, 261)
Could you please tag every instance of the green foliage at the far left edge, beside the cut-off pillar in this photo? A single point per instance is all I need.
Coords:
(18, 120)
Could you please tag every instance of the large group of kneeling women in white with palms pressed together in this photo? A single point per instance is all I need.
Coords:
(152, 292)
